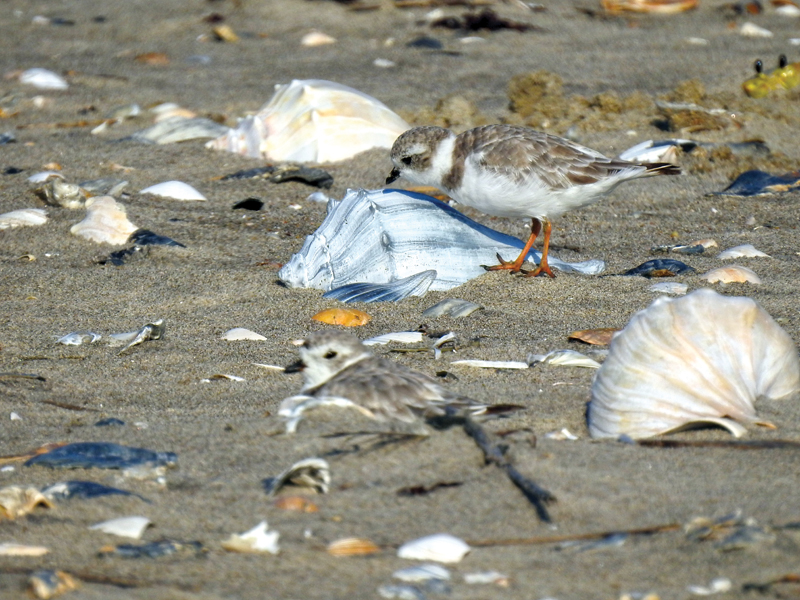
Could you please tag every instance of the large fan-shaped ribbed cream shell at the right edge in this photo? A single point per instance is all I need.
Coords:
(683, 362)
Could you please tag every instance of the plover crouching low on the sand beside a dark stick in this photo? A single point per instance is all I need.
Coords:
(338, 369)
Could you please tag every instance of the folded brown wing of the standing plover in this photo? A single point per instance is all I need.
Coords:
(520, 153)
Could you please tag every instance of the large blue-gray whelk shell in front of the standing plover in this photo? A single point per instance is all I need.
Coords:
(375, 237)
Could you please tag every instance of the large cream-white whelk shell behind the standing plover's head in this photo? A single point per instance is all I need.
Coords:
(314, 121)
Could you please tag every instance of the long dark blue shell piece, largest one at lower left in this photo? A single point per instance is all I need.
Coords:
(101, 455)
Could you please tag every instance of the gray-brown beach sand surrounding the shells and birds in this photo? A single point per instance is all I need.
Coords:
(227, 434)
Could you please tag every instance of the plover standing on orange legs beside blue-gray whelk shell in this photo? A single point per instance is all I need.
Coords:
(510, 171)
